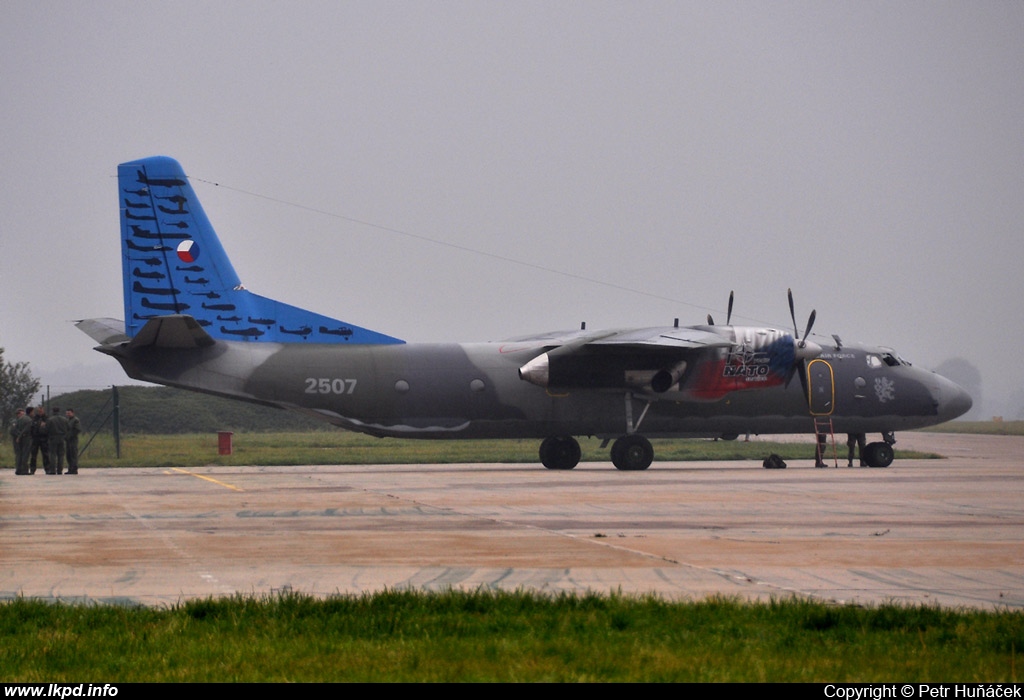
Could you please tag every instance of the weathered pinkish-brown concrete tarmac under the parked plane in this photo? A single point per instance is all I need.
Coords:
(934, 532)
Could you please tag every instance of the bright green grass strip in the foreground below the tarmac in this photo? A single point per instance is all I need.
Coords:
(484, 636)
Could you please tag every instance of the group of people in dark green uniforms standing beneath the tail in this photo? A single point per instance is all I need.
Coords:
(55, 437)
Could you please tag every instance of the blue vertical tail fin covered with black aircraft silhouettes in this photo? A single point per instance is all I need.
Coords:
(174, 264)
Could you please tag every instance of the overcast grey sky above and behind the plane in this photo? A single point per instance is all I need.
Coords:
(869, 155)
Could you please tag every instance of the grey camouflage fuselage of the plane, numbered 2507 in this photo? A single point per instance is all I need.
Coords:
(477, 391)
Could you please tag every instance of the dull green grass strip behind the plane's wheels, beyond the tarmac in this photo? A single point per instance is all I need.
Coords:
(340, 448)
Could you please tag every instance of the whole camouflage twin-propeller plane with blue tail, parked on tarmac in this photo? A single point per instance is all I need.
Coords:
(191, 324)
